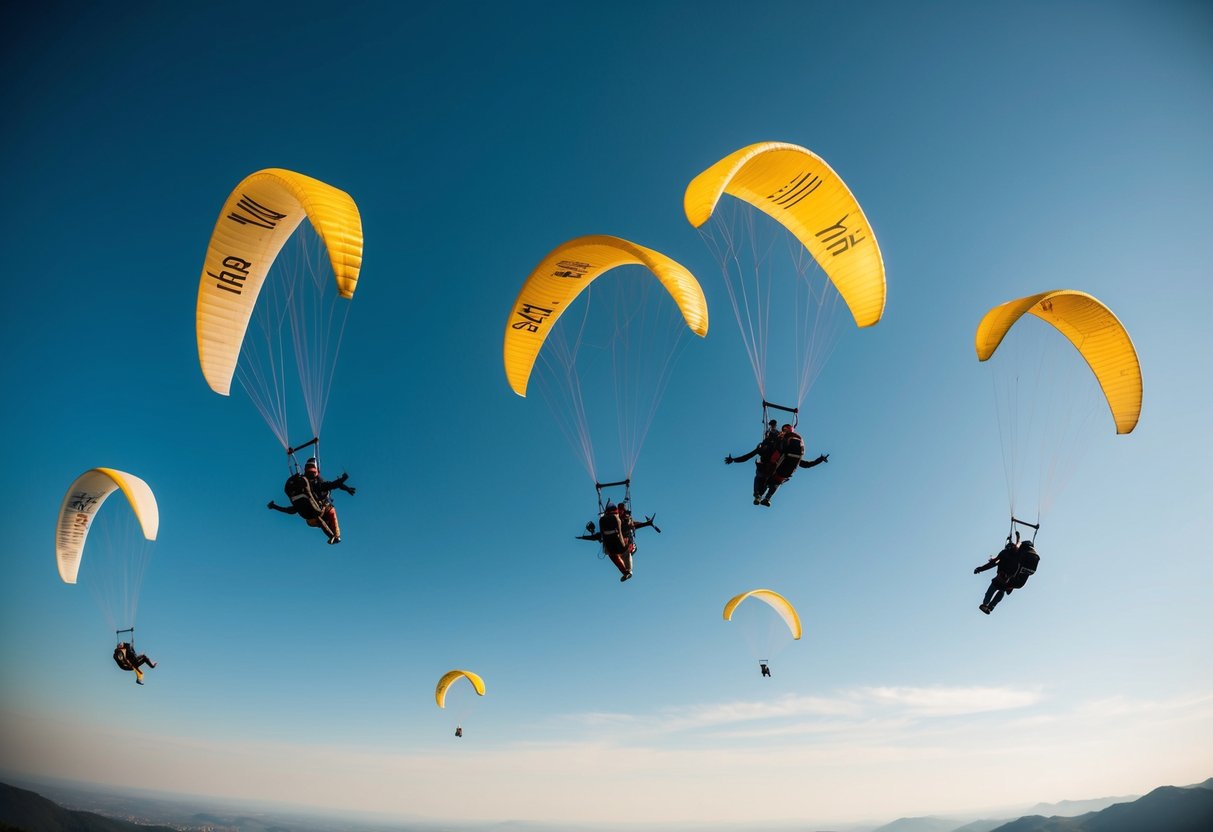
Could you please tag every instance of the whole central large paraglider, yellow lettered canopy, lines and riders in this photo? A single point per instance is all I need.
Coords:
(641, 337)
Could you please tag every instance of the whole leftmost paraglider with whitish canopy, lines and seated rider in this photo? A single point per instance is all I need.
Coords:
(118, 560)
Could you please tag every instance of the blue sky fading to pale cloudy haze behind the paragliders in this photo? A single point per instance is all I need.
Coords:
(999, 151)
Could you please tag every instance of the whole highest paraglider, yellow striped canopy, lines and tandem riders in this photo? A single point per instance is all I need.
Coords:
(791, 243)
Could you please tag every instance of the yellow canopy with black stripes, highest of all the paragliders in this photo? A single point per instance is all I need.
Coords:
(801, 192)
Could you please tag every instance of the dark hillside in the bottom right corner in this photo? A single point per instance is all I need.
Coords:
(1169, 808)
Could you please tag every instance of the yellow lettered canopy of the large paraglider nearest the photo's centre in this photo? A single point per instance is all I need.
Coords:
(565, 273)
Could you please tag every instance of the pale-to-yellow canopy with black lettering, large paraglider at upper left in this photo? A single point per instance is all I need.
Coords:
(257, 220)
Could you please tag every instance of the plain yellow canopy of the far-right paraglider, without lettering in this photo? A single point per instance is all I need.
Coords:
(1095, 332)
